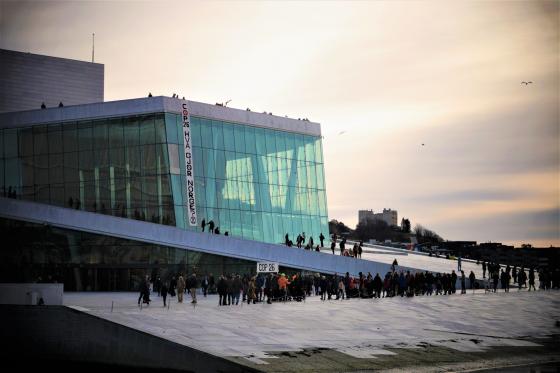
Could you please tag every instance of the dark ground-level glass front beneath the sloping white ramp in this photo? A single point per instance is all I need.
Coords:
(85, 261)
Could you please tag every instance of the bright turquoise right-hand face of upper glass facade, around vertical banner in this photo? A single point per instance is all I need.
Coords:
(253, 182)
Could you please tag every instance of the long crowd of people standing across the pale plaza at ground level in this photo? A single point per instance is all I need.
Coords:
(234, 289)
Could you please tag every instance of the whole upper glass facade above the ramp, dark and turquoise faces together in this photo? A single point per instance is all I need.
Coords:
(254, 183)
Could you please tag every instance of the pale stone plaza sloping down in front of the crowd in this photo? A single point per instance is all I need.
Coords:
(357, 327)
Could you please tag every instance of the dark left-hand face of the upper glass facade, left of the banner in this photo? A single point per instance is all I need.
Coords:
(116, 166)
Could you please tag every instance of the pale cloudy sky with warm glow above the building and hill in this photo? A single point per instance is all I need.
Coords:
(437, 123)
